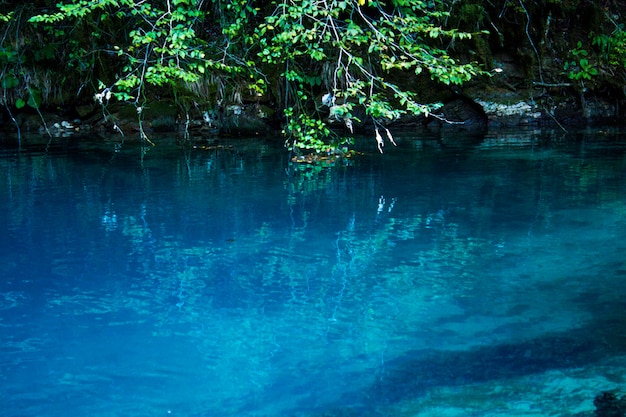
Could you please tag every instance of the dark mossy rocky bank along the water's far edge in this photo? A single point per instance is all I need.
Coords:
(478, 107)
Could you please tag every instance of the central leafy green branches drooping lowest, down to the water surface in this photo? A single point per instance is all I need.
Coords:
(358, 50)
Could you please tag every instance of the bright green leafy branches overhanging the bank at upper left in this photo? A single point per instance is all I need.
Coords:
(155, 45)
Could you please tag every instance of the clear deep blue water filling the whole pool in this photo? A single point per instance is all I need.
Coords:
(452, 276)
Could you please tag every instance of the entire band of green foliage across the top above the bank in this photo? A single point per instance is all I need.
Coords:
(364, 56)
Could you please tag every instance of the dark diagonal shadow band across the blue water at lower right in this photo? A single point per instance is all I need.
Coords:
(415, 374)
